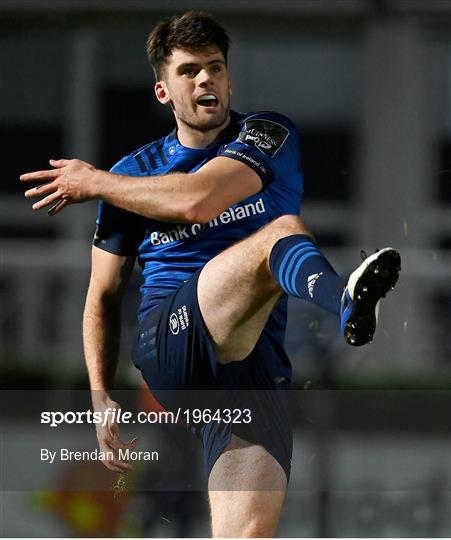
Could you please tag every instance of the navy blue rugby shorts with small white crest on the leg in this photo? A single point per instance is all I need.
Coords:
(175, 354)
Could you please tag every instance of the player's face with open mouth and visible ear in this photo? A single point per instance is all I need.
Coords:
(197, 86)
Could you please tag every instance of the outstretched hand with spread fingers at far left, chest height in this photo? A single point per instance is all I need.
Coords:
(70, 181)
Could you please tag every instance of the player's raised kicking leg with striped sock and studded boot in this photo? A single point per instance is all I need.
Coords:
(239, 287)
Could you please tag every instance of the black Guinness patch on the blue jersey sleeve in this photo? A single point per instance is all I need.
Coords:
(266, 135)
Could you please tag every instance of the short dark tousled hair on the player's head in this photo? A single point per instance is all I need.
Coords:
(192, 31)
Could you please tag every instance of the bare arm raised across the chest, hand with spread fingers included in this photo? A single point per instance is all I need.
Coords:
(190, 198)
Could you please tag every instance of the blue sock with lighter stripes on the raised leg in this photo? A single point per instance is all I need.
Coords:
(302, 271)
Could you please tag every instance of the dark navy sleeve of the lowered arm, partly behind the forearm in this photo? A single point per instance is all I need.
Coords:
(118, 231)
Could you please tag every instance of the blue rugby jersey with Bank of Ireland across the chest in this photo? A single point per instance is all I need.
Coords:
(169, 253)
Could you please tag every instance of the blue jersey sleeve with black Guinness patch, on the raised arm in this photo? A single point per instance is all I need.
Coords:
(268, 143)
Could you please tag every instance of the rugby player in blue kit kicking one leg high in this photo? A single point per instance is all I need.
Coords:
(211, 211)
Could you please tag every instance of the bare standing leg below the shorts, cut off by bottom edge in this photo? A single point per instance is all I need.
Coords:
(246, 491)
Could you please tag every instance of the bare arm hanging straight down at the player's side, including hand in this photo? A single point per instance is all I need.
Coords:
(101, 336)
